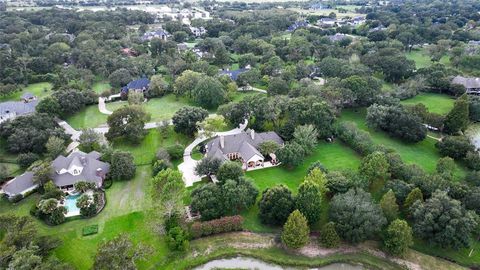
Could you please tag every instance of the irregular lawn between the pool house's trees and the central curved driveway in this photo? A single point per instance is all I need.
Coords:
(146, 150)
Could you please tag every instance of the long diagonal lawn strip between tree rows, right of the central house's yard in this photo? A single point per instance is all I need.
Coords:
(422, 153)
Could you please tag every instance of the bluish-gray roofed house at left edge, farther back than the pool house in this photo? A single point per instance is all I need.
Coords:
(12, 109)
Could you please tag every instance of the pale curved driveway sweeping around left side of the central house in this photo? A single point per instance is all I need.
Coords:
(187, 167)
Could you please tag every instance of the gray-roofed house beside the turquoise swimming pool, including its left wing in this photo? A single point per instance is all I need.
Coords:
(66, 171)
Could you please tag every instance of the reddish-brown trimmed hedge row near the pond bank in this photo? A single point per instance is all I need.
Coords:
(221, 225)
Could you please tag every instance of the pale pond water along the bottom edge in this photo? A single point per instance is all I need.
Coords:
(250, 263)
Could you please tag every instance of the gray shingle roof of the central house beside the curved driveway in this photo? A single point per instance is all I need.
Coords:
(241, 143)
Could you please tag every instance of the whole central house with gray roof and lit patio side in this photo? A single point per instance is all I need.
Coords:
(243, 147)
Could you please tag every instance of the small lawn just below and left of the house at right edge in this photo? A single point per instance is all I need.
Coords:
(436, 103)
